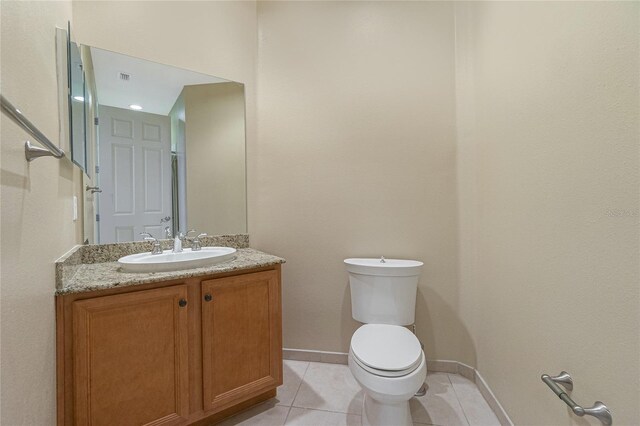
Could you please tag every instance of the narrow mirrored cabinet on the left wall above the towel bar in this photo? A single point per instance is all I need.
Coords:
(77, 113)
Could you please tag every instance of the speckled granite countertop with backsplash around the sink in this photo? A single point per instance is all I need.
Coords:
(95, 267)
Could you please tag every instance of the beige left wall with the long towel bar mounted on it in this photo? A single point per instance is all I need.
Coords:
(36, 209)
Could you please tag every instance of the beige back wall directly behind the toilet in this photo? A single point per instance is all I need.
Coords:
(356, 157)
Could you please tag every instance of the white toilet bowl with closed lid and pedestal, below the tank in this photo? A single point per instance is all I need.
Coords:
(389, 364)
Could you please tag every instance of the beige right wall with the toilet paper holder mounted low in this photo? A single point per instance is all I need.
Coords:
(548, 121)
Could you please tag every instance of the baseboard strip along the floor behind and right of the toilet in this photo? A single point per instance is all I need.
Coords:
(442, 366)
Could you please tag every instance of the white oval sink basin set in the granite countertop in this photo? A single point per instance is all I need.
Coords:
(169, 261)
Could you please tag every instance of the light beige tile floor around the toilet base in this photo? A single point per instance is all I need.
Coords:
(318, 394)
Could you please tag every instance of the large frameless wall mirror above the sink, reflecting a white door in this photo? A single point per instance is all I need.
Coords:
(169, 150)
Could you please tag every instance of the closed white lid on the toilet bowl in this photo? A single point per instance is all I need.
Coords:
(386, 347)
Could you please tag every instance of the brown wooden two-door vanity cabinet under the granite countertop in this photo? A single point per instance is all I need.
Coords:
(189, 351)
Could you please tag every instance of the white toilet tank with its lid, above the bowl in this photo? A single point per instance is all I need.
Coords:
(383, 291)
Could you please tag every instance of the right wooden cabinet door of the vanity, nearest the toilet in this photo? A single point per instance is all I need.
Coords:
(241, 337)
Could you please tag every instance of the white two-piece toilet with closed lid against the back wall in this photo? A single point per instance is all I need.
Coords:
(385, 358)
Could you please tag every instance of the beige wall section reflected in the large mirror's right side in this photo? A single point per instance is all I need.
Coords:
(215, 144)
